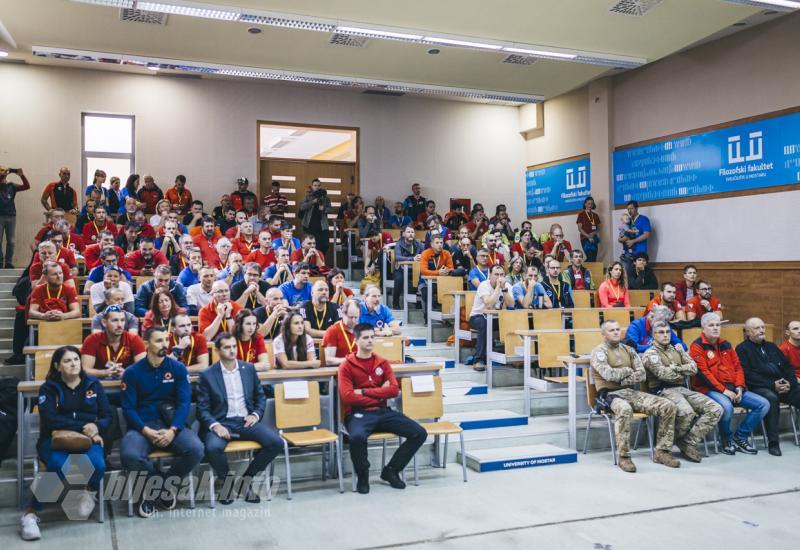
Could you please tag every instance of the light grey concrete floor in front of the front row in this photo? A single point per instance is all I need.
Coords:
(725, 502)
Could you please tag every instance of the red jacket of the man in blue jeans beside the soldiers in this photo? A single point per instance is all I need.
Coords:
(718, 366)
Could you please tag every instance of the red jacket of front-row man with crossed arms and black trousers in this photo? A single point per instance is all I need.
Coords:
(367, 375)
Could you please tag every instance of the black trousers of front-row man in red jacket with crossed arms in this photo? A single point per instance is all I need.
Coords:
(361, 423)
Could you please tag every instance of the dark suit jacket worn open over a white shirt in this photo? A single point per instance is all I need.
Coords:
(212, 399)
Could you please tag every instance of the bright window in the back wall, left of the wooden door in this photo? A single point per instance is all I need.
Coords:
(108, 145)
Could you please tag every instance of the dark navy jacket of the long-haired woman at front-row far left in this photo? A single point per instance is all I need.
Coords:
(61, 408)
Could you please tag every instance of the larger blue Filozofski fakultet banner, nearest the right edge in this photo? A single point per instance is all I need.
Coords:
(754, 155)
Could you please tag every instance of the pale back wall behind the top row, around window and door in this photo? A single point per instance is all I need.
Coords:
(206, 129)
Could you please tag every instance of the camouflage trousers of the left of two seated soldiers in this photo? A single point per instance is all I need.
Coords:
(630, 401)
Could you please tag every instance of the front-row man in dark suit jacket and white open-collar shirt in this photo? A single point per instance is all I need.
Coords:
(230, 405)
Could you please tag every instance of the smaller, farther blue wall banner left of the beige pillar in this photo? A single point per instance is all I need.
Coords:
(557, 188)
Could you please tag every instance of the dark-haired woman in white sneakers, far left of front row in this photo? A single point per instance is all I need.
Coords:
(70, 401)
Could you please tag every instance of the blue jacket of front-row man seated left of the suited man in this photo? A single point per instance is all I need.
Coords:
(145, 389)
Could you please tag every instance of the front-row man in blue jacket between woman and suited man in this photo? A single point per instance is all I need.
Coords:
(149, 387)
